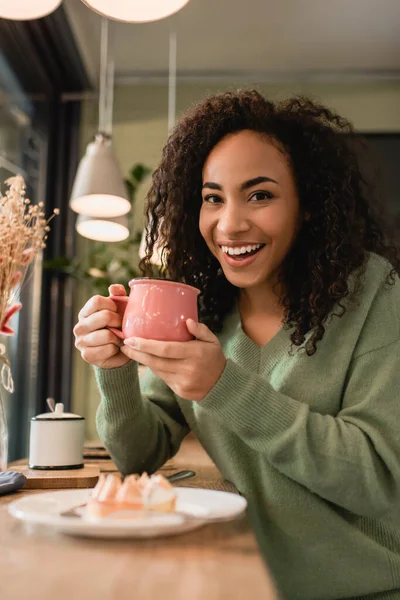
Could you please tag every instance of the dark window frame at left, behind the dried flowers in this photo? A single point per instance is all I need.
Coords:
(44, 57)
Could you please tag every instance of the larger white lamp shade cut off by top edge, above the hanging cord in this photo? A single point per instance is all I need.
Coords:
(136, 11)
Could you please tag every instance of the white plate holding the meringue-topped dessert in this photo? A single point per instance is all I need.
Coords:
(44, 509)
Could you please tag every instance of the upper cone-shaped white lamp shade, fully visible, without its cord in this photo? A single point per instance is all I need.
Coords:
(99, 189)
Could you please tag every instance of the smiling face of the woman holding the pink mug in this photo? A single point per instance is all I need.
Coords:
(250, 213)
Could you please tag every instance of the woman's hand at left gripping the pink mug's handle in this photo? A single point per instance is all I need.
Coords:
(98, 345)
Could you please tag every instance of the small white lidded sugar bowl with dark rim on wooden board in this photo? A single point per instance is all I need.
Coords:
(56, 440)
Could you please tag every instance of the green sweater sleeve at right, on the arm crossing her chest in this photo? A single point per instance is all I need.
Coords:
(351, 459)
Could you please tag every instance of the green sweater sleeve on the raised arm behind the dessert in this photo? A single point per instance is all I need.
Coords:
(140, 424)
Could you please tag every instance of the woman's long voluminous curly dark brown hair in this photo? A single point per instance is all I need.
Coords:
(324, 153)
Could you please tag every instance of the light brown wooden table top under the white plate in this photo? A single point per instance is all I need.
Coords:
(216, 562)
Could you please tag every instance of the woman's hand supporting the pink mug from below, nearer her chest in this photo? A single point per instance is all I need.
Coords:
(190, 369)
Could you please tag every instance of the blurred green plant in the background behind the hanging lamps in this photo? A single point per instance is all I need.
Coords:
(107, 263)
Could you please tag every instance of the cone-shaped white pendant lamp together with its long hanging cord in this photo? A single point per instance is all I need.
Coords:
(99, 189)
